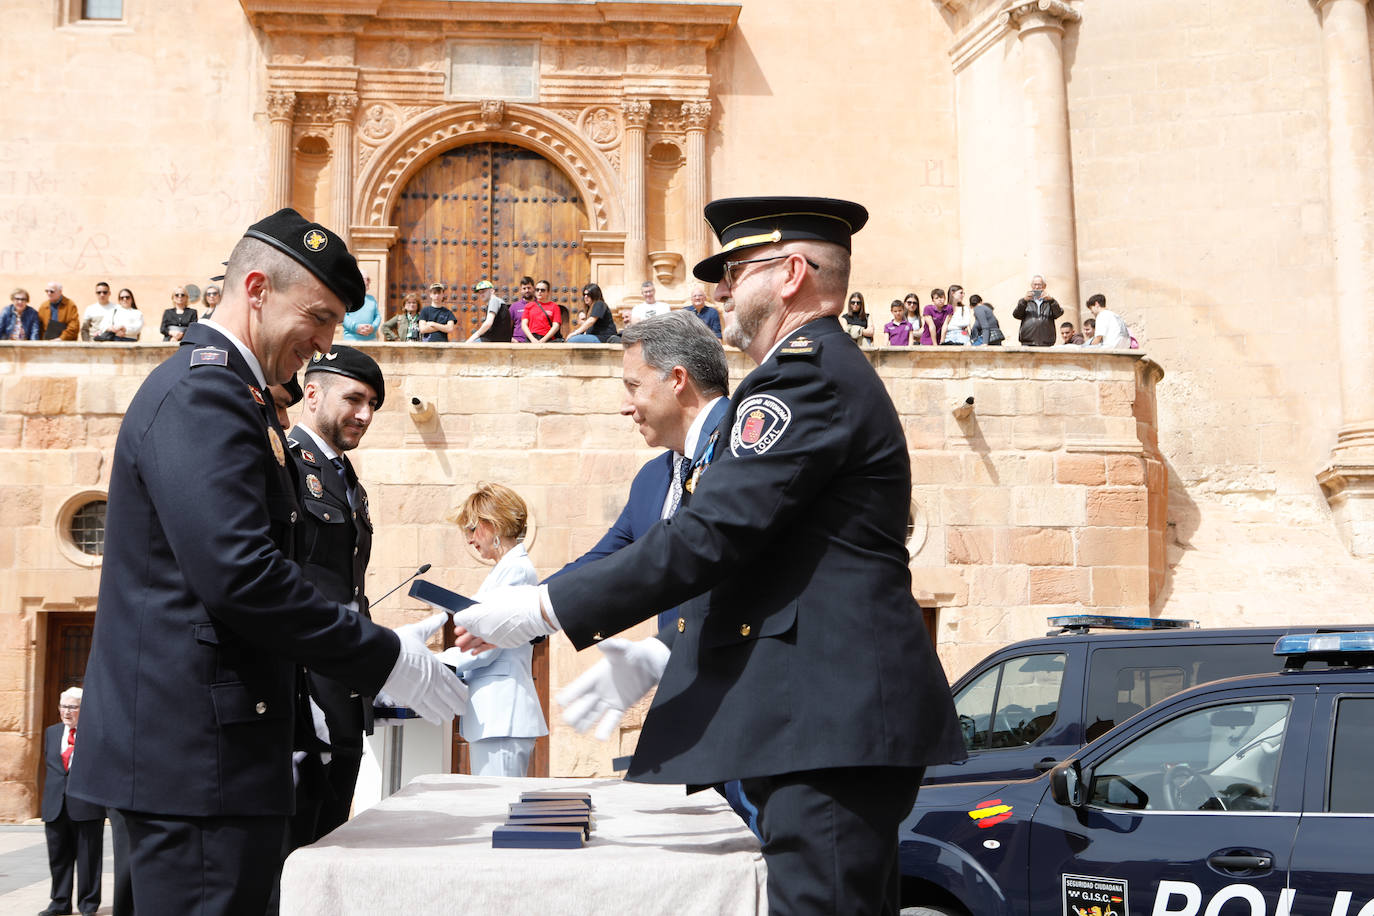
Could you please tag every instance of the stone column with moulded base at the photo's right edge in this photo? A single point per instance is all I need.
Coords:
(1349, 481)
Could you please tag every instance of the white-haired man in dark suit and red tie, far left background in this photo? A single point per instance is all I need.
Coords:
(75, 829)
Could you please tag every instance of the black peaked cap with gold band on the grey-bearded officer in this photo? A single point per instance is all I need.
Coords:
(745, 223)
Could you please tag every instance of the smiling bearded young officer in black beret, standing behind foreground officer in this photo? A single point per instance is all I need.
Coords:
(335, 542)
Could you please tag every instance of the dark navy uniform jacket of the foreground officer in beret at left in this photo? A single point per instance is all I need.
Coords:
(201, 616)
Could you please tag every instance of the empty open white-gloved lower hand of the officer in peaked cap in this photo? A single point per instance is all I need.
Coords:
(602, 694)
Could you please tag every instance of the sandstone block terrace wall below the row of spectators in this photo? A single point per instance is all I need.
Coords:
(1046, 499)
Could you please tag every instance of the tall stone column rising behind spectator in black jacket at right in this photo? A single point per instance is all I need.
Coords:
(1052, 237)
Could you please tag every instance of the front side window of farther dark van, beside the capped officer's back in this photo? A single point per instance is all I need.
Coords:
(1013, 704)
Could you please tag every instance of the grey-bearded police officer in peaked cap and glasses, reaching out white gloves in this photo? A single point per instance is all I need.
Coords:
(800, 663)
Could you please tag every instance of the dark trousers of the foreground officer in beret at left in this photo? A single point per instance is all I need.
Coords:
(204, 866)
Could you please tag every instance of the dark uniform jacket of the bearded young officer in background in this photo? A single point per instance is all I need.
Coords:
(333, 546)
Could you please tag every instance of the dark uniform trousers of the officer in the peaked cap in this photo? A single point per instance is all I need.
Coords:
(831, 837)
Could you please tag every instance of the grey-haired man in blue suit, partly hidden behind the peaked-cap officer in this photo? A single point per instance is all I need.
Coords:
(677, 391)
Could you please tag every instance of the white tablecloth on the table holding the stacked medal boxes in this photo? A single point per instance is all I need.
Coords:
(428, 849)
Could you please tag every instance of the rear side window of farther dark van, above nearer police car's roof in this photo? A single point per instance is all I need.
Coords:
(1123, 682)
